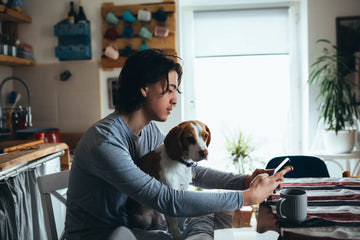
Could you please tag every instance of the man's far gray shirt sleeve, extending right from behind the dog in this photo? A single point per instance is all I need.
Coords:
(209, 178)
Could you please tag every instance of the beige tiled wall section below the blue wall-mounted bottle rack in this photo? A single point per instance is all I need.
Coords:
(72, 105)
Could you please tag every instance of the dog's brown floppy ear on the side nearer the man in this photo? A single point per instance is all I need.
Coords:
(173, 144)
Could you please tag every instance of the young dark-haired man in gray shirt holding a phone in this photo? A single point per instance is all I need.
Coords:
(104, 173)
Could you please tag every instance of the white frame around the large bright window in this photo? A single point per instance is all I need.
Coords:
(299, 90)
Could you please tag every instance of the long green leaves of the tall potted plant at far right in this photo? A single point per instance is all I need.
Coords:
(338, 105)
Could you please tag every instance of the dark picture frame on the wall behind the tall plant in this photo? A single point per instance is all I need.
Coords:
(348, 39)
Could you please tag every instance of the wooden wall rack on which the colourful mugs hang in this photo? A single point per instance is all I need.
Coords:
(168, 44)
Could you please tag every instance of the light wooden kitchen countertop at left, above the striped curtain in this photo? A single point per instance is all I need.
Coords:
(17, 157)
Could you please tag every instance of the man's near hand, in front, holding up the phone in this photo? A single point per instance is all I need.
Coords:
(263, 185)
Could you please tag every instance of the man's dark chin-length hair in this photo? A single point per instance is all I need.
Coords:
(142, 68)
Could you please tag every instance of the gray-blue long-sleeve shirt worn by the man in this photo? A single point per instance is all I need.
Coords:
(104, 174)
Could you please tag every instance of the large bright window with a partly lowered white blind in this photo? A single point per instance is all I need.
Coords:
(240, 63)
